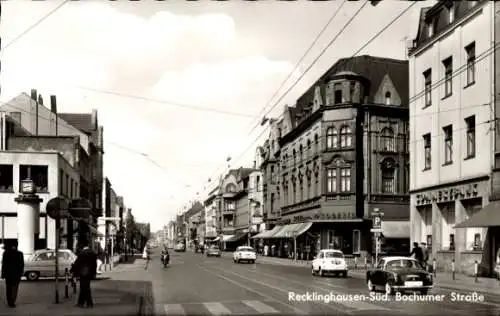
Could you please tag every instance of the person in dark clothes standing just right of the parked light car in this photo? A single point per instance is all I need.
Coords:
(85, 267)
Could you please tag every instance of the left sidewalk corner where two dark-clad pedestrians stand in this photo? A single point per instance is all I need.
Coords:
(125, 290)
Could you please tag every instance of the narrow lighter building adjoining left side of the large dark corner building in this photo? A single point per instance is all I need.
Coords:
(270, 154)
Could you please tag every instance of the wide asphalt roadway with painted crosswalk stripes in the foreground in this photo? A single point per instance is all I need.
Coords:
(196, 285)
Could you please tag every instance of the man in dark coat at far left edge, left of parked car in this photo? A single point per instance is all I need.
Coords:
(12, 271)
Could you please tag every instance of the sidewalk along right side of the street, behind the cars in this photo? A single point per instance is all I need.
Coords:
(462, 282)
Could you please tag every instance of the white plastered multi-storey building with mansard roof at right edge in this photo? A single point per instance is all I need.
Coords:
(454, 138)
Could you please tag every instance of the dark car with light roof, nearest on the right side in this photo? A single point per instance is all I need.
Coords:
(399, 274)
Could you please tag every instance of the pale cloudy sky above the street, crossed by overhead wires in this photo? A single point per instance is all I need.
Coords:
(119, 57)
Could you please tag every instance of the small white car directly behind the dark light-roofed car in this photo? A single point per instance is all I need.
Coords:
(329, 261)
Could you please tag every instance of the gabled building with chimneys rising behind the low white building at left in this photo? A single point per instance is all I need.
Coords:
(29, 111)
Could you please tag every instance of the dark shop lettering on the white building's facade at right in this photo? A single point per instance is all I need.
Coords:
(467, 191)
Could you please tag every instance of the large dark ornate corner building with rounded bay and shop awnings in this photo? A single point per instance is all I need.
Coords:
(344, 153)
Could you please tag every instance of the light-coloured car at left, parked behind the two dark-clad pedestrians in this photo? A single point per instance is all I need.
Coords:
(43, 264)
